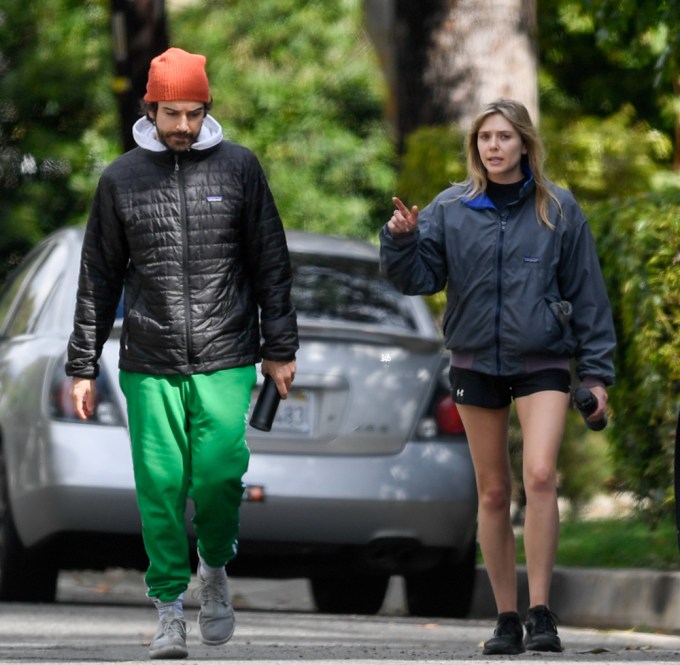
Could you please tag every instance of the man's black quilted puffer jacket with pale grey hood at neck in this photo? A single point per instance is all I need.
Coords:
(197, 242)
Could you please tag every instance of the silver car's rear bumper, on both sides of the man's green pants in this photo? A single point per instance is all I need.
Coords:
(424, 495)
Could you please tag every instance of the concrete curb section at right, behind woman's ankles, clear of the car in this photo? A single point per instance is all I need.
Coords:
(597, 598)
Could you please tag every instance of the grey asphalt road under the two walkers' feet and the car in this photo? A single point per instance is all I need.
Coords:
(107, 619)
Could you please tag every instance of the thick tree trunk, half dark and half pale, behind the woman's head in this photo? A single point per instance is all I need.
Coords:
(445, 59)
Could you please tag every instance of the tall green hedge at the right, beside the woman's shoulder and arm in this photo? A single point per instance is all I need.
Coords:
(613, 167)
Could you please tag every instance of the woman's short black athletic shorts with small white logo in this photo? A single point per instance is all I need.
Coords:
(496, 392)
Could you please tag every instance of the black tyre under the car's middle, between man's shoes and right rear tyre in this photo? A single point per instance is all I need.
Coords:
(349, 593)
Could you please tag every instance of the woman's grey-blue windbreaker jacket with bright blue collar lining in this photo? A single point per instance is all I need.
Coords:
(520, 297)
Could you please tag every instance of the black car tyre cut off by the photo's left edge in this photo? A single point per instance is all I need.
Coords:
(26, 575)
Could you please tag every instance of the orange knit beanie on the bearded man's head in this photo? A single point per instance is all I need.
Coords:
(176, 75)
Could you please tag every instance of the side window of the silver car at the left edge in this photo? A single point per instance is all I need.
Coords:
(30, 290)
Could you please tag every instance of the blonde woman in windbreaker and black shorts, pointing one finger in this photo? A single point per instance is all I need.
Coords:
(525, 295)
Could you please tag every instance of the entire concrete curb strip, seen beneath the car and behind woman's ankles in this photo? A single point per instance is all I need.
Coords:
(581, 597)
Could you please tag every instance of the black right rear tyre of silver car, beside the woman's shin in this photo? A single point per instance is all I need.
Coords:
(444, 590)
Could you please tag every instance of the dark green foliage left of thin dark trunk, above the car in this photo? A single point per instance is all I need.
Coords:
(52, 95)
